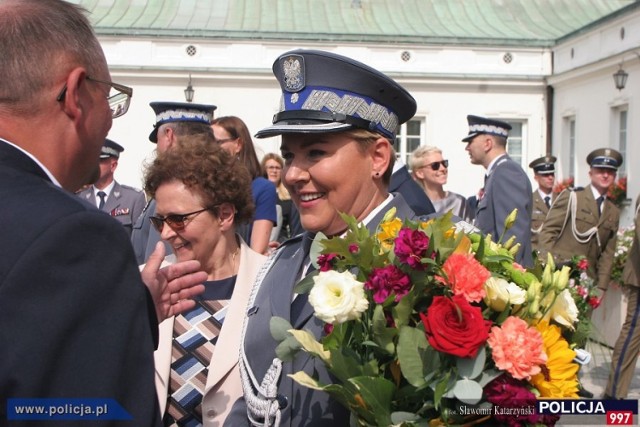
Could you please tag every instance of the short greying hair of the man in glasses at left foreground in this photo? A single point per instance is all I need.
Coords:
(41, 39)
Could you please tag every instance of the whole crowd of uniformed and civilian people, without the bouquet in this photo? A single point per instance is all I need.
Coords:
(166, 306)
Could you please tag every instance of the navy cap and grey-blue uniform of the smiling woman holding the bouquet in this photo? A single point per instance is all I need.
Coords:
(322, 93)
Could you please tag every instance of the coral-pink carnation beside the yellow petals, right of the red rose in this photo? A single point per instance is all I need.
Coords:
(517, 348)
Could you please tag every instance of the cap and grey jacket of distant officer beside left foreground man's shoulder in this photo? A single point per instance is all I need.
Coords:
(122, 202)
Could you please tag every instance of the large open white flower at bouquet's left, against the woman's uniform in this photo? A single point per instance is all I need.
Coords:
(337, 297)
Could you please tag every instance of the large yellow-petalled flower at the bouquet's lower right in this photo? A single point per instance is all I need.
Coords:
(558, 378)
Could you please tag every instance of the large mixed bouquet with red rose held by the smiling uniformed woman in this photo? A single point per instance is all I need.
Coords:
(429, 324)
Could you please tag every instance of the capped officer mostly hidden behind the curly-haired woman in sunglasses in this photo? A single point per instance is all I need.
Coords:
(174, 120)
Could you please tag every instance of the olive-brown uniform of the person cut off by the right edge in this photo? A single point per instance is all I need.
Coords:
(627, 347)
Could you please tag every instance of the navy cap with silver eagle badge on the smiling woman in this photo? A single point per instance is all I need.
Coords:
(324, 92)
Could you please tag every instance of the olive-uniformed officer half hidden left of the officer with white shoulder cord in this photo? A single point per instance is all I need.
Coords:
(544, 172)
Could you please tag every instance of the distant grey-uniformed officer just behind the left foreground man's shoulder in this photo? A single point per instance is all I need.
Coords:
(122, 202)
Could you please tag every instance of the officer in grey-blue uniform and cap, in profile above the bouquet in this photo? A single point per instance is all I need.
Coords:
(506, 187)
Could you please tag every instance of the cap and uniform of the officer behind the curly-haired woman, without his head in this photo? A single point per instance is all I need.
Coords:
(145, 237)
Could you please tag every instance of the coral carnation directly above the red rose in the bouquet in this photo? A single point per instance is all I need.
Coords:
(466, 276)
